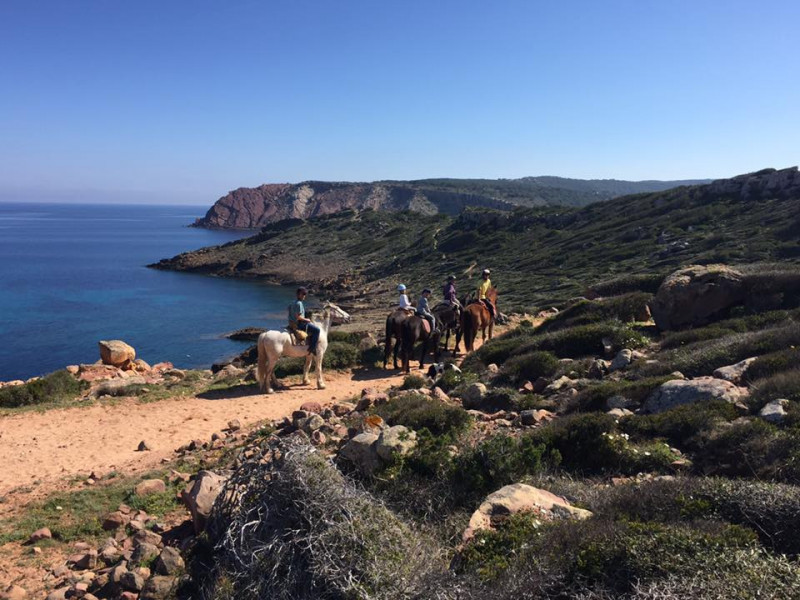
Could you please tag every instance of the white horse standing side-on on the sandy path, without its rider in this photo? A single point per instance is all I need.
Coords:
(274, 344)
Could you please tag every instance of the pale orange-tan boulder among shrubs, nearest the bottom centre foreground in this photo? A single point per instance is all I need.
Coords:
(517, 498)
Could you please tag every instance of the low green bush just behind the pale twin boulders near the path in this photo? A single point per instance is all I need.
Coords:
(420, 412)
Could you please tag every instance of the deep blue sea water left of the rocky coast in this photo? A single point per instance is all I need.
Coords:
(71, 275)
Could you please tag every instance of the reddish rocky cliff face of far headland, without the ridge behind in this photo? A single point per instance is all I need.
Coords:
(252, 208)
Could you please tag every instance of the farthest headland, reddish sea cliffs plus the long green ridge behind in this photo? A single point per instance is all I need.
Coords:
(252, 208)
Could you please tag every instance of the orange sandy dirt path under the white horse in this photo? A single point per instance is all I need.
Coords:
(42, 448)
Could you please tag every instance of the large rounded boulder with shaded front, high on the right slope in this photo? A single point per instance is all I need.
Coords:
(695, 295)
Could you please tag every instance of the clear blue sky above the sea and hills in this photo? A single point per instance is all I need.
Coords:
(185, 100)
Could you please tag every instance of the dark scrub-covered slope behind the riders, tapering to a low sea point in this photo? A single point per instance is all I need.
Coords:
(535, 253)
